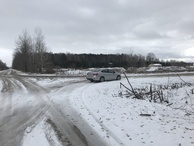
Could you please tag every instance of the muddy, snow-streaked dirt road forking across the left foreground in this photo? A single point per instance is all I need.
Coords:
(24, 103)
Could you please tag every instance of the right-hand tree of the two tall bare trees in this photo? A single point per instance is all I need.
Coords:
(40, 50)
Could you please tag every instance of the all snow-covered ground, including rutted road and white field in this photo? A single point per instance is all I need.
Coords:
(46, 104)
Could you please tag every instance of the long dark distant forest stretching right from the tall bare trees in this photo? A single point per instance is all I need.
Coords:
(68, 60)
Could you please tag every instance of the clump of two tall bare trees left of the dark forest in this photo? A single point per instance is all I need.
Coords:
(30, 54)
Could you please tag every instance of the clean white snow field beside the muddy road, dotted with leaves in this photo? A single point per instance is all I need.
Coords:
(116, 119)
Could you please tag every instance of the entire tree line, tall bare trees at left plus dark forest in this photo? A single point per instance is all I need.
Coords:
(31, 55)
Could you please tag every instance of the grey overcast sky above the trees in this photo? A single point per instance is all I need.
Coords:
(163, 27)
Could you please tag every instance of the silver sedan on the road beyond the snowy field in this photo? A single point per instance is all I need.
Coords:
(103, 75)
